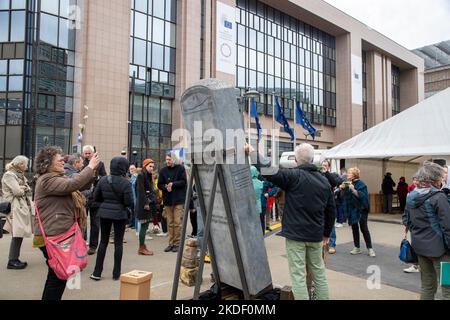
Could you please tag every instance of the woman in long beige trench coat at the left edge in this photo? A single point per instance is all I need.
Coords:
(20, 221)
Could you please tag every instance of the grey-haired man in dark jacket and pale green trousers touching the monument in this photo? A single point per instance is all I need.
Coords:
(308, 218)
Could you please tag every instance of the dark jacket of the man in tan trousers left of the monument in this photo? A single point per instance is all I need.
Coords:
(176, 175)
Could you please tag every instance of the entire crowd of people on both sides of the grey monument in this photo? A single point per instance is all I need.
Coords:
(316, 201)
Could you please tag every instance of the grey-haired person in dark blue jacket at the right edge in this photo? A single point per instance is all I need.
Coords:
(427, 218)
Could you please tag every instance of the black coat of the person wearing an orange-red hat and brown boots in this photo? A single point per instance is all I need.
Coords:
(145, 194)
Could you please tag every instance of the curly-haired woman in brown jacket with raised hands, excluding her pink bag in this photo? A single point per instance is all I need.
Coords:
(57, 199)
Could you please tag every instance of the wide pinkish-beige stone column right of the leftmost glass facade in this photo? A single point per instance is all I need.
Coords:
(102, 69)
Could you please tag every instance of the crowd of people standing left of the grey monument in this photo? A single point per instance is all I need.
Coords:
(74, 187)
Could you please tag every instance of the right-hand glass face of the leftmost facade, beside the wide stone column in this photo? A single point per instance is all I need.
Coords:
(52, 112)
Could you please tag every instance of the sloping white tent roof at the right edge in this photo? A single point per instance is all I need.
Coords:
(422, 130)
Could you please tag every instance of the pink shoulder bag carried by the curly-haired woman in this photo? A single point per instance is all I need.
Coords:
(67, 252)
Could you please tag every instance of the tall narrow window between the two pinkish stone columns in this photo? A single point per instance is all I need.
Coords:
(152, 64)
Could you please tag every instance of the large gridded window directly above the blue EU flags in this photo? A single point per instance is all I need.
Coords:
(278, 54)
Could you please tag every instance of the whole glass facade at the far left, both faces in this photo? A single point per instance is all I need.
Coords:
(37, 61)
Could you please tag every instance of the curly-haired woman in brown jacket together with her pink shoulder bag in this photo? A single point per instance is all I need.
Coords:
(60, 207)
